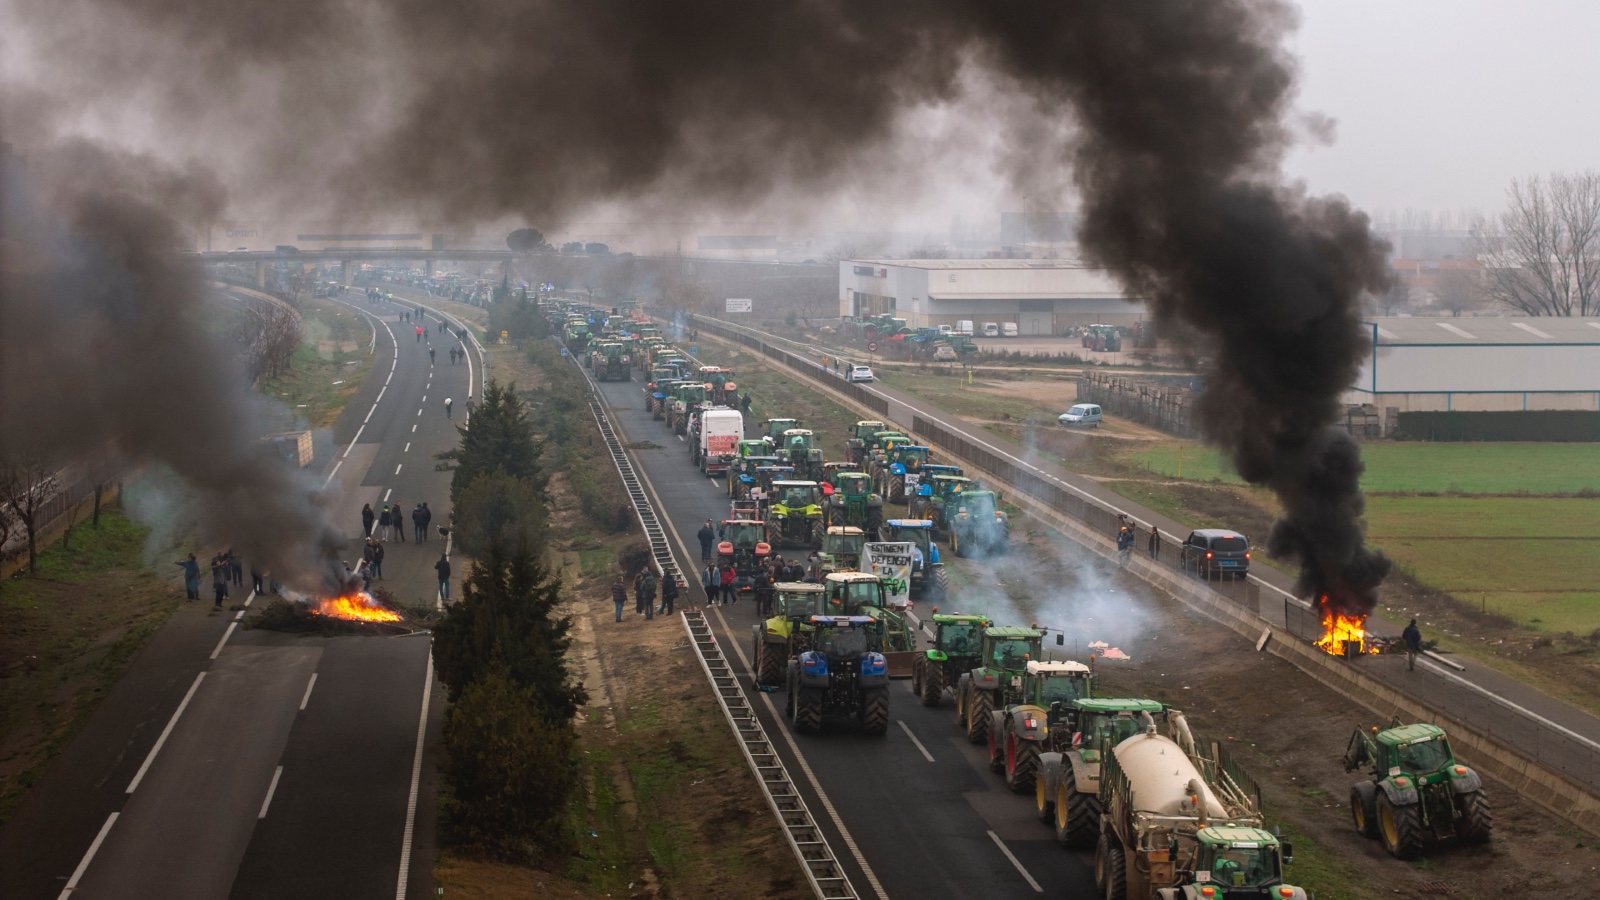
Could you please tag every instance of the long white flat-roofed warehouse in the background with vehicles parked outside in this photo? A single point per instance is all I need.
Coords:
(1044, 297)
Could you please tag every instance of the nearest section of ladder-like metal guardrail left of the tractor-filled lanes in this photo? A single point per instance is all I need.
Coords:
(807, 842)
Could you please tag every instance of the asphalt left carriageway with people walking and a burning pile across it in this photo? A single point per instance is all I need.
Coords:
(258, 765)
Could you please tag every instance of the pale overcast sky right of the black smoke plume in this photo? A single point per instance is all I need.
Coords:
(1442, 103)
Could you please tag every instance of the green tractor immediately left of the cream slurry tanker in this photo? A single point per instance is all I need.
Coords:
(1066, 790)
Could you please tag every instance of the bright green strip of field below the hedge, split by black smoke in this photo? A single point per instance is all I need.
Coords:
(1422, 468)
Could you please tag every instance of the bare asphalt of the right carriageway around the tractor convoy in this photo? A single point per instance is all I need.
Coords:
(942, 827)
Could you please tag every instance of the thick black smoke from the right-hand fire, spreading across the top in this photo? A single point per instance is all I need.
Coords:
(1172, 121)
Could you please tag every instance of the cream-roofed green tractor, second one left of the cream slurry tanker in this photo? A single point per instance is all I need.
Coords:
(1020, 733)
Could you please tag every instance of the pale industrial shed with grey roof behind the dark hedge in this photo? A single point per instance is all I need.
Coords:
(1481, 364)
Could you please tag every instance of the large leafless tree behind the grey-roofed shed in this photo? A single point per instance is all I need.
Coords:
(1543, 254)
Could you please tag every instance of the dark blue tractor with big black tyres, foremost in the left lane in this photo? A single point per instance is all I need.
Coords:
(842, 675)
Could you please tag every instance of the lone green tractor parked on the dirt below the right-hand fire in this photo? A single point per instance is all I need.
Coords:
(1415, 790)
